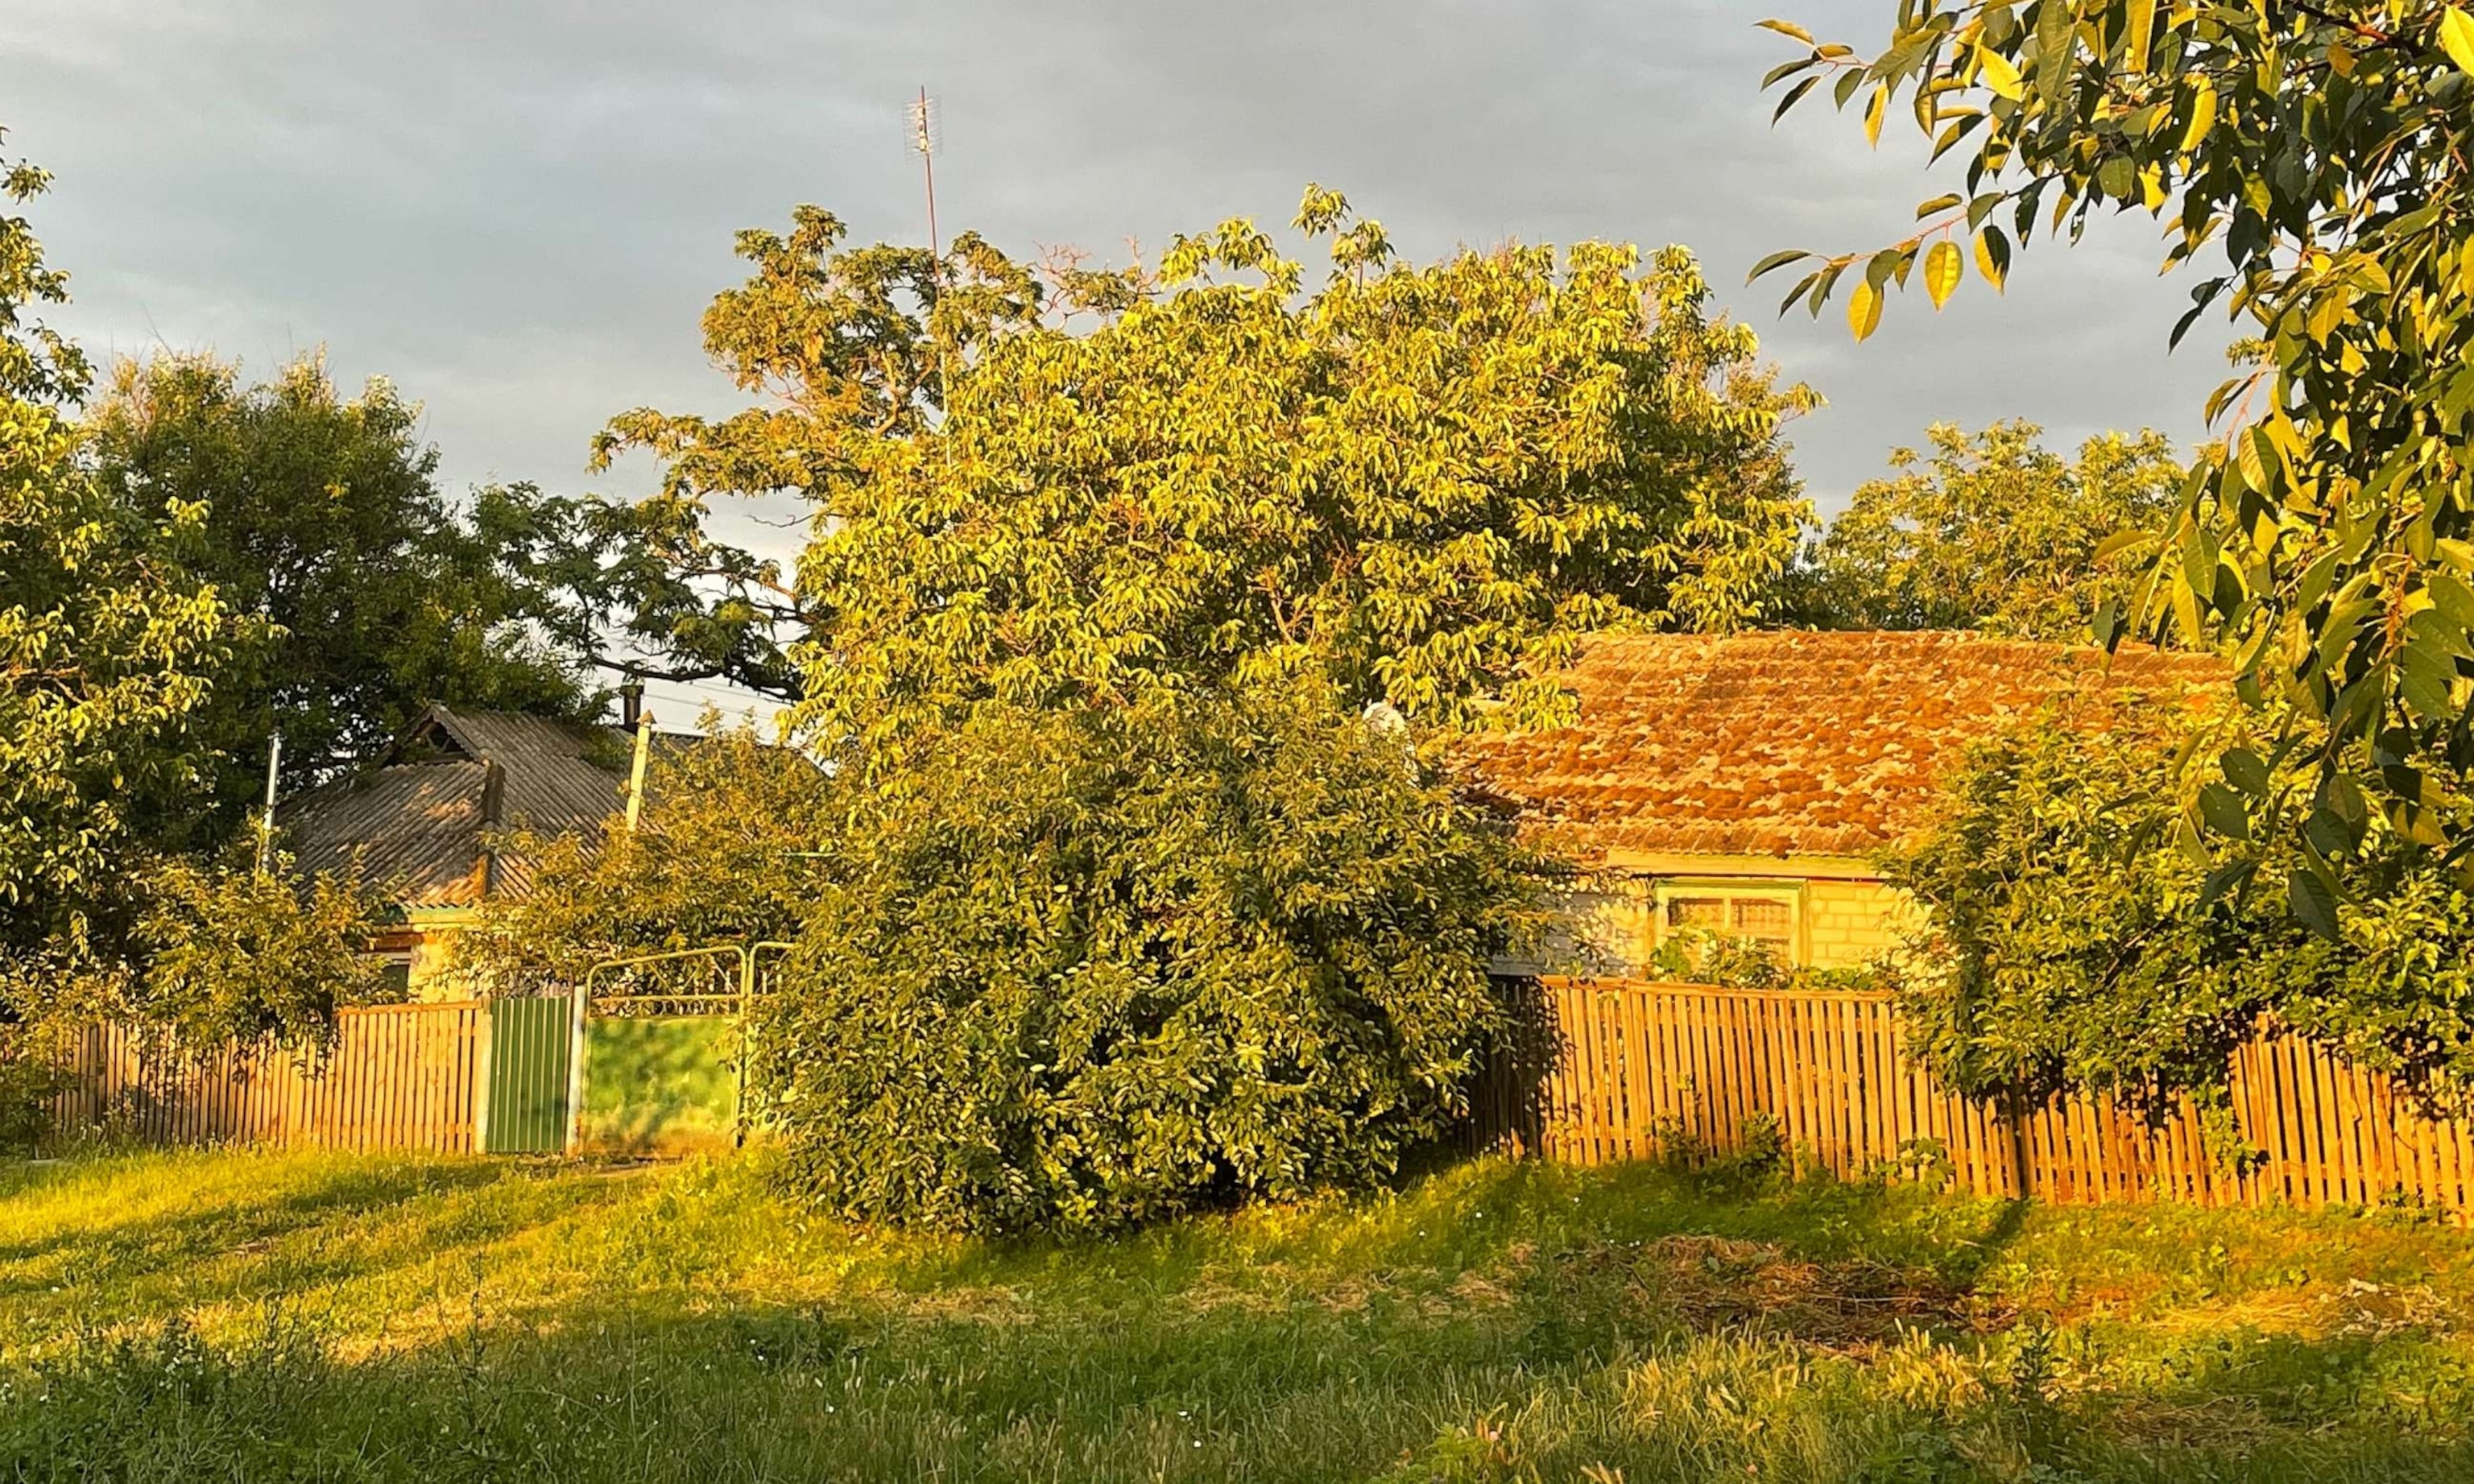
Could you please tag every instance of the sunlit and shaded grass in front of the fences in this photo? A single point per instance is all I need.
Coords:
(325, 1317)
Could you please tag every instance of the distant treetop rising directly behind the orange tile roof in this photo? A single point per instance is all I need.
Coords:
(1993, 533)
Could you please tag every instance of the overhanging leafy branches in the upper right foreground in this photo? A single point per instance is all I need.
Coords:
(2322, 152)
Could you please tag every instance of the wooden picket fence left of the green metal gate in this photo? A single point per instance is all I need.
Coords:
(400, 1077)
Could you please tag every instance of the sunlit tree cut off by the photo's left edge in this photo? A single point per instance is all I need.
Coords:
(108, 647)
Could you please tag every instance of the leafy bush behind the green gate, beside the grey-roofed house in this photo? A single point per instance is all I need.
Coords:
(726, 855)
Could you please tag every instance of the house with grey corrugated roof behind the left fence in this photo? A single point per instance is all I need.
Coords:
(422, 825)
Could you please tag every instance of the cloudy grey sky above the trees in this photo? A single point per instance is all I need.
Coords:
(518, 211)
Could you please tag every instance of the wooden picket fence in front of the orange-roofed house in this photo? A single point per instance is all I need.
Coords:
(1627, 1070)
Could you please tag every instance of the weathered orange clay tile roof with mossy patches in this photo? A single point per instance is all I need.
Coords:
(1795, 743)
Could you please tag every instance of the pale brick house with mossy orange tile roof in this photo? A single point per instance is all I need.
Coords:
(1748, 785)
